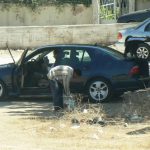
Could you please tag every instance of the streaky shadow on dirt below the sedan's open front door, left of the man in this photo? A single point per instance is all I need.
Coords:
(29, 108)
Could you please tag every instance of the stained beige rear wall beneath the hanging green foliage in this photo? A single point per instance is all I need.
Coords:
(48, 15)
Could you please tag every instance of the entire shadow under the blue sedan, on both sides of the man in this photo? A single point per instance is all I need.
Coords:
(42, 108)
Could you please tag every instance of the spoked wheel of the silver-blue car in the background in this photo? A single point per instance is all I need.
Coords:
(143, 51)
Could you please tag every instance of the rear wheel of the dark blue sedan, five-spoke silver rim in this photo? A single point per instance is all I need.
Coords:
(99, 90)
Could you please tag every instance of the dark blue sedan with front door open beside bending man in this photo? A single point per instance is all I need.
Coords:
(99, 72)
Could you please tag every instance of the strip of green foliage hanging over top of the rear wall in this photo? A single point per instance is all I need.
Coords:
(36, 3)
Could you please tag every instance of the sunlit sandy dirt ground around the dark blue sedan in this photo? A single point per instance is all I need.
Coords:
(31, 124)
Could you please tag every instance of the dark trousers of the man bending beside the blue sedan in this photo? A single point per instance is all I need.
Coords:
(57, 94)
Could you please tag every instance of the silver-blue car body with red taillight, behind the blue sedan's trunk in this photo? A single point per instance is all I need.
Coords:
(140, 30)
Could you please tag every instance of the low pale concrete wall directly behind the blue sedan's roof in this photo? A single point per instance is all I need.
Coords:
(33, 36)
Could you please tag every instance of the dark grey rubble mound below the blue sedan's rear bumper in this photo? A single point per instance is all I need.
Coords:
(136, 105)
